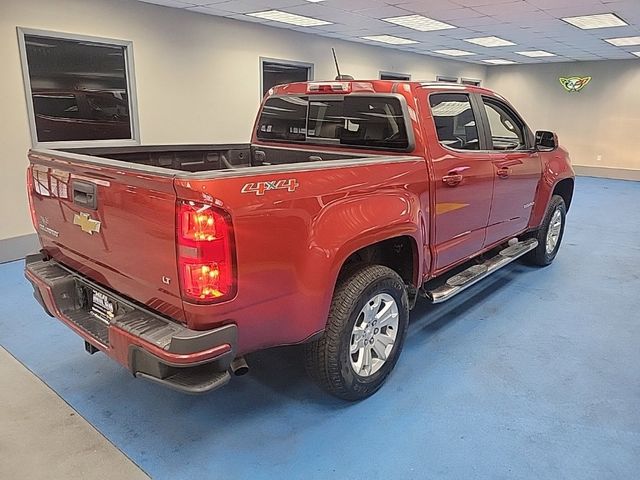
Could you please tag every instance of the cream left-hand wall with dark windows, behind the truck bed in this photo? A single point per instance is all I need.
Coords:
(198, 76)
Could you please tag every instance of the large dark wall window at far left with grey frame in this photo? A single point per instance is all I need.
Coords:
(79, 89)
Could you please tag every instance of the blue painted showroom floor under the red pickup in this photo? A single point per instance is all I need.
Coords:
(534, 373)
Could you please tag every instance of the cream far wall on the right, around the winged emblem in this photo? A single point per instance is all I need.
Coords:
(599, 125)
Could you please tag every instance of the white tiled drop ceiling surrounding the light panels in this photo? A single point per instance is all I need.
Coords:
(531, 24)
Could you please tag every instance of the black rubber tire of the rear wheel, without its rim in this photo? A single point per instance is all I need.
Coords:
(328, 359)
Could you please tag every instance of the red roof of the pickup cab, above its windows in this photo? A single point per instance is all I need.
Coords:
(370, 86)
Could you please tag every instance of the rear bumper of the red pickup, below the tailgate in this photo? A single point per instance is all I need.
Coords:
(149, 345)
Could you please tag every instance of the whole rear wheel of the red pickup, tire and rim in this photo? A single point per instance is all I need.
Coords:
(364, 336)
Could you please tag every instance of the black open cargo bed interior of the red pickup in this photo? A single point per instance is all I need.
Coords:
(208, 158)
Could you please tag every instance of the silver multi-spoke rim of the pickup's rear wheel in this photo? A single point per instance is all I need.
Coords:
(374, 335)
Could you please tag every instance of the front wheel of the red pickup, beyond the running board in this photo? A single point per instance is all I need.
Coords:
(550, 234)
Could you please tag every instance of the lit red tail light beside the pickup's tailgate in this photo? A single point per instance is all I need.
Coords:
(205, 256)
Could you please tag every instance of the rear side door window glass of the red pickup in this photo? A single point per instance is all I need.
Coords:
(454, 120)
